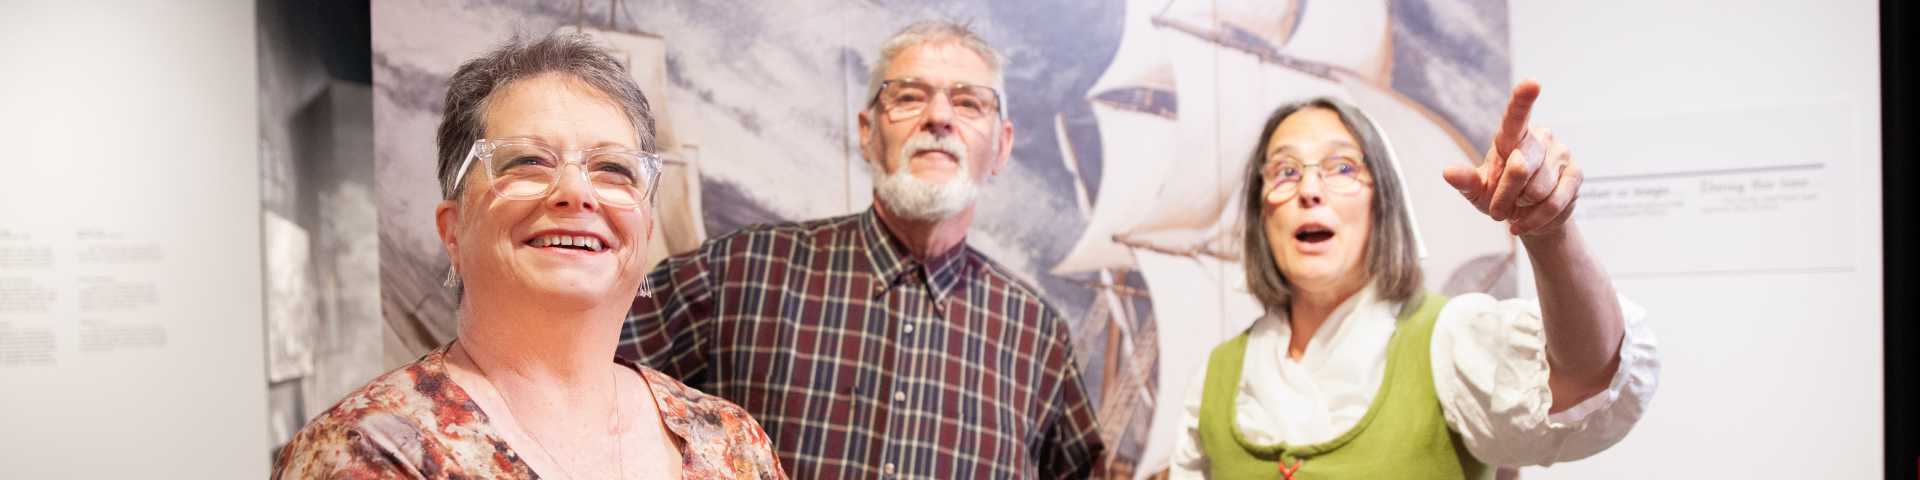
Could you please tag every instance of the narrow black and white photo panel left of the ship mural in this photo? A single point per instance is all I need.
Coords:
(320, 251)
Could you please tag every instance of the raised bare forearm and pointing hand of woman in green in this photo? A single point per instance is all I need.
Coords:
(1531, 181)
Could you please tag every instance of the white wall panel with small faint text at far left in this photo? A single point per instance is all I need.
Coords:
(135, 122)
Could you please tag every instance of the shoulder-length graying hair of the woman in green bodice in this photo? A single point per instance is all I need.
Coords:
(1391, 249)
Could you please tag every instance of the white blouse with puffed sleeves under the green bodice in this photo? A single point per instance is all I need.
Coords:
(1491, 373)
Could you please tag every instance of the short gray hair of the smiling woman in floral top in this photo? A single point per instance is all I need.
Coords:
(573, 55)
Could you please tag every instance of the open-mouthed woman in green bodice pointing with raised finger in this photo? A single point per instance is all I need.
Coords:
(1358, 373)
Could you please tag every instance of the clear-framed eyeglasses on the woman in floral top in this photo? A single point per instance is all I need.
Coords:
(529, 170)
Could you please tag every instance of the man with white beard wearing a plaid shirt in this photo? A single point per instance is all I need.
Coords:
(880, 345)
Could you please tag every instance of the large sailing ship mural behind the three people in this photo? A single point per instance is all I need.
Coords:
(1134, 124)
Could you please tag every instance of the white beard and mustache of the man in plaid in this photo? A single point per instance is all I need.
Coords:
(919, 201)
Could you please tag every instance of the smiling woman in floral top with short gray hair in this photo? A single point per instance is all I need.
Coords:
(548, 191)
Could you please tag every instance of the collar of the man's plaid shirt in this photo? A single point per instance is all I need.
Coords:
(894, 264)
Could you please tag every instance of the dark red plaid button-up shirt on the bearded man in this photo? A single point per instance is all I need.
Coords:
(861, 362)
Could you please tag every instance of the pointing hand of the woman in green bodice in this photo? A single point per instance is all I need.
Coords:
(1529, 180)
